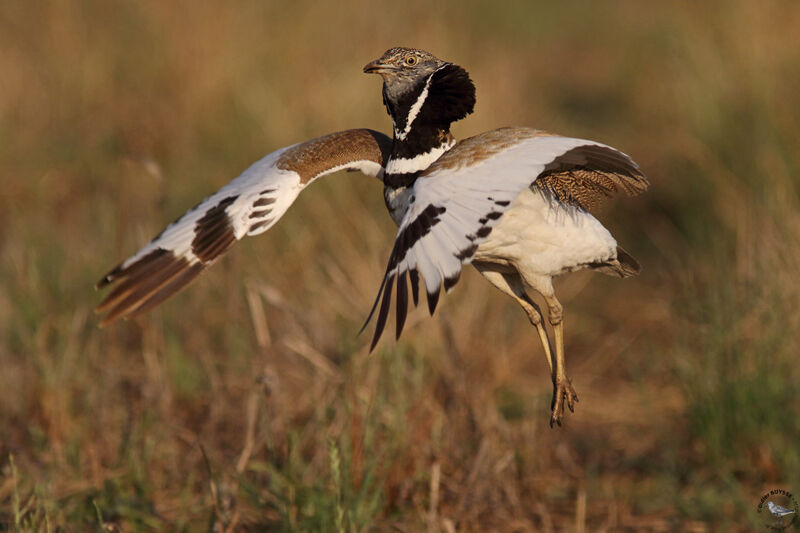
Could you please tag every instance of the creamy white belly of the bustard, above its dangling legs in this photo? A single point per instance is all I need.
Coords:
(544, 237)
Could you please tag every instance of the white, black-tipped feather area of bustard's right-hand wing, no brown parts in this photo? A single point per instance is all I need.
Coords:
(454, 206)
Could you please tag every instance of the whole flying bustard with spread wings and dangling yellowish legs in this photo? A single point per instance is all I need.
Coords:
(514, 202)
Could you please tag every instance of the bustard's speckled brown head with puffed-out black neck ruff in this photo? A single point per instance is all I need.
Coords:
(406, 72)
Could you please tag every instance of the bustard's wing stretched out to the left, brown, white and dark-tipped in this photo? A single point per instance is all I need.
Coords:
(249, 205)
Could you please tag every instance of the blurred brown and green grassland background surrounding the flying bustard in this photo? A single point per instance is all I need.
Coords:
(248, 403)
